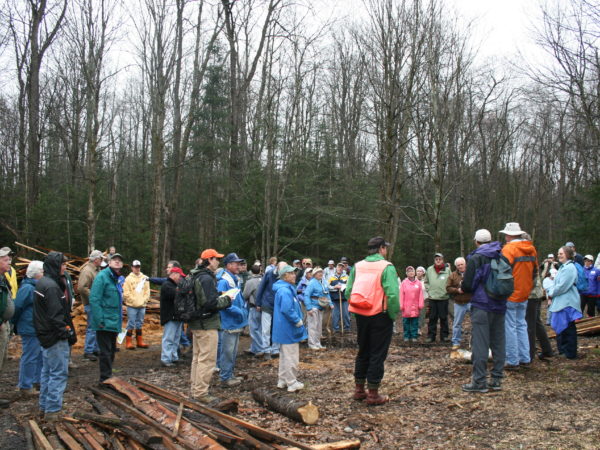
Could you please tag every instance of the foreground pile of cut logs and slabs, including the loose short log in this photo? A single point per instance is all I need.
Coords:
(143, 415)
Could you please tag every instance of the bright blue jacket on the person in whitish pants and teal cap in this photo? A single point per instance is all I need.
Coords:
(287, 315)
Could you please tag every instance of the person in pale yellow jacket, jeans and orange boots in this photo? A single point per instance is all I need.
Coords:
(136, 293)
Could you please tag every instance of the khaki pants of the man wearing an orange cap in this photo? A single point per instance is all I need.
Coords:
(204, 361)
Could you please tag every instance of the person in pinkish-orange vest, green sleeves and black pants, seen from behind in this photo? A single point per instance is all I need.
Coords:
(373, 294)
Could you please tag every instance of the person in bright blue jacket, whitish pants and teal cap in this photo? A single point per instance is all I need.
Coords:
(288, 329)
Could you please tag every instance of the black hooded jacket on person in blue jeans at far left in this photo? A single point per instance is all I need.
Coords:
(51, 316)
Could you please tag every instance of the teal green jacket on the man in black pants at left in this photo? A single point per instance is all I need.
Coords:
(105, 301)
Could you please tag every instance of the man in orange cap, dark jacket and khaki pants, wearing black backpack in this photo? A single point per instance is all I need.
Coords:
(205, 330)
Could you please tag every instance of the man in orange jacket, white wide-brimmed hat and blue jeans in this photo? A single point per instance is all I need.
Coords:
(522, 256)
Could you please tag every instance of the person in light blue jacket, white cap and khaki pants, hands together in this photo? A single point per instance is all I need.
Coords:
(316, 299)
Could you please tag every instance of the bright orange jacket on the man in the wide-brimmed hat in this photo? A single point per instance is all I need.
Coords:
(522, 256)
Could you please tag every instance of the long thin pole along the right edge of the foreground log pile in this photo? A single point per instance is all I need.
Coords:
(257, 431)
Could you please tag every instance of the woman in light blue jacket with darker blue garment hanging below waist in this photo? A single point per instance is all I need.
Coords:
(566, 304)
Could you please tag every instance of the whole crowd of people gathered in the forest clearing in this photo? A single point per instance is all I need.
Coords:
(286, 304)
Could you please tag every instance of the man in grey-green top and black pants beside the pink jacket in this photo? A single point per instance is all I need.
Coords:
(436, 278)
